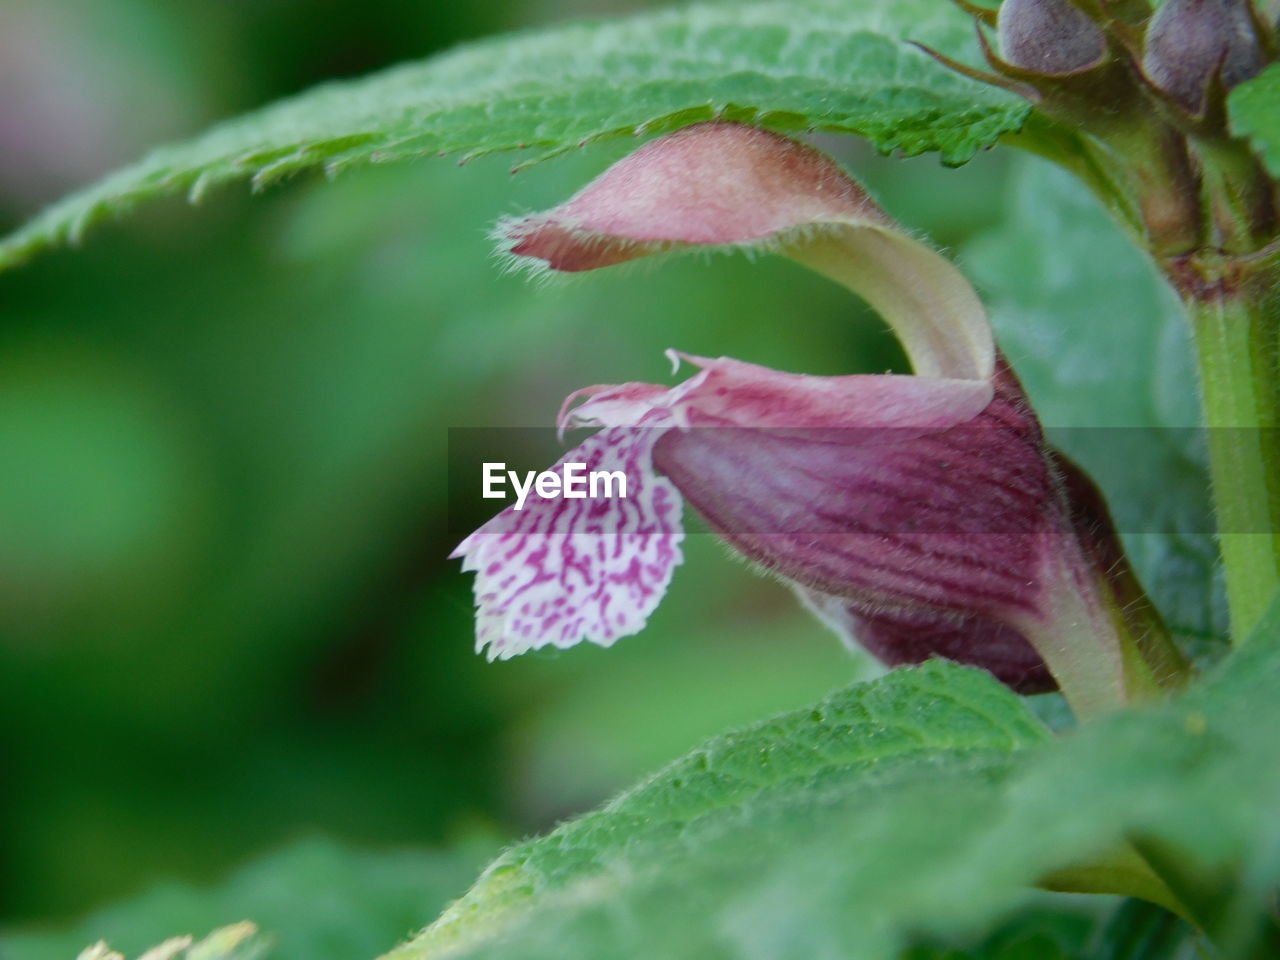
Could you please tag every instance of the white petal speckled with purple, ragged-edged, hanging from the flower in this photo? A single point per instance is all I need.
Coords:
(564, 570)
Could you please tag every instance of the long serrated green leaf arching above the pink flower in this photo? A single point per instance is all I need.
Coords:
(819, 65)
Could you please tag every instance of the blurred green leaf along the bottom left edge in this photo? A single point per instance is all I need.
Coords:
(314, 900)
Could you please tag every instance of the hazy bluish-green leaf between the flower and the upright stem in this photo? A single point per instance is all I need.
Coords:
(1103, 349)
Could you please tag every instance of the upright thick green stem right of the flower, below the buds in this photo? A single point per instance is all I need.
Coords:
(1236, 321)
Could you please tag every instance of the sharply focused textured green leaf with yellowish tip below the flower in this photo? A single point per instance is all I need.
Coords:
(728, 804)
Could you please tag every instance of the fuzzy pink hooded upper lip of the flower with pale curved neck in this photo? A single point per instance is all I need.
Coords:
(734, 186)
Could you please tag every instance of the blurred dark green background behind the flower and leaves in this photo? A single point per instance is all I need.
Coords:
(228, 625)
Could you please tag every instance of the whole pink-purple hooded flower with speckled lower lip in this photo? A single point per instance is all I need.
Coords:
(920, 515)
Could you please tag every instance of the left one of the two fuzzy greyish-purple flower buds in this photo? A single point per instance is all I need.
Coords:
(1049, 36)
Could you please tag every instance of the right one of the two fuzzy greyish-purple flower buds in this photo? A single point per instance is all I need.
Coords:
(1191, 42)
